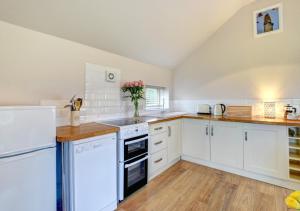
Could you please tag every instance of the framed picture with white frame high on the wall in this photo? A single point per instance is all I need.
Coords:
(268, 21)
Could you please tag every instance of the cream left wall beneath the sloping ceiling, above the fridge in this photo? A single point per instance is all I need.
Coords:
(36, 66)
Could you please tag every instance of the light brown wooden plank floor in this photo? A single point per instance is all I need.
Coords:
(187, 186)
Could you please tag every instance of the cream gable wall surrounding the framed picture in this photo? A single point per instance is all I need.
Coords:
(232, 64)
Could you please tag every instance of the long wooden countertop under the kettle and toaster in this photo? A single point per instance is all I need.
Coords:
(253, 119)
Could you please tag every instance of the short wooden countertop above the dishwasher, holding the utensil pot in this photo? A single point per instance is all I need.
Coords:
(69, 133)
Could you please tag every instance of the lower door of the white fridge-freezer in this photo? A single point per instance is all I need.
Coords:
(28, 182)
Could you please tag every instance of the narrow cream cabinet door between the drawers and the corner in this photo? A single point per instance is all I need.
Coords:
(174, 140)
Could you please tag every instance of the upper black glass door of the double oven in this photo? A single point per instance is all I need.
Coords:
(136, 146)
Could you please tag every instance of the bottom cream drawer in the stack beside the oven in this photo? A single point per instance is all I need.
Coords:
(158, 161)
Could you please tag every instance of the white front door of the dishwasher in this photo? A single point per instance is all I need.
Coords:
(95, 174)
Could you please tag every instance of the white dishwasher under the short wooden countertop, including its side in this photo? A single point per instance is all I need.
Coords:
(90, 174)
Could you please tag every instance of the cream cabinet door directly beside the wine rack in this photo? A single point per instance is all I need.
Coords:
(266, 150)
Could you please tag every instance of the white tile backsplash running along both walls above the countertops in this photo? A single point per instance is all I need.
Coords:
(105, 100)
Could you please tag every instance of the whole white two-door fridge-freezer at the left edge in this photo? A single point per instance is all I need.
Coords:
(27, 159)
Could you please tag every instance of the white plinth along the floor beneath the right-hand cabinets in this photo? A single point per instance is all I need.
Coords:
(271, 180)
